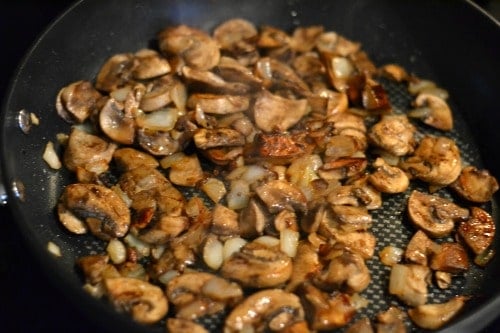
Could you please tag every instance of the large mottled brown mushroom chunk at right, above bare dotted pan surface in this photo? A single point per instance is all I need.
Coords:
(436, 161)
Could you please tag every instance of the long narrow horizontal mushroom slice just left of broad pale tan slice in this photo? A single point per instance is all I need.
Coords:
(218, 104)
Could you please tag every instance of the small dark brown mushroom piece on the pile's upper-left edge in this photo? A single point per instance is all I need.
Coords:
(115, 73)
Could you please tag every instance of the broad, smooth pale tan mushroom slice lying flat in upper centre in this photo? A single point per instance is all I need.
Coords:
(272, 112)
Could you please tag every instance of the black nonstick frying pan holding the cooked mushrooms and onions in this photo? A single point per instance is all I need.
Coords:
(452, 43)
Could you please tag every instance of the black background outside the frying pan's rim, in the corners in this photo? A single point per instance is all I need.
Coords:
(29, 302)
